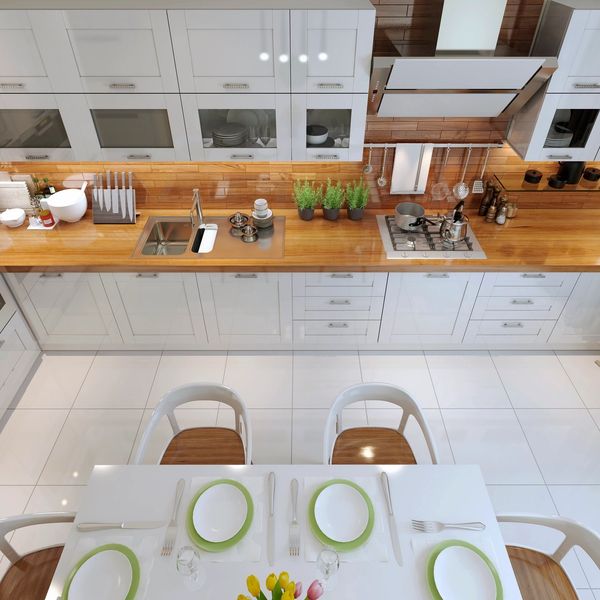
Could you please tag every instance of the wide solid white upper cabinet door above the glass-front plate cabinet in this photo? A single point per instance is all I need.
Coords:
(231, 51)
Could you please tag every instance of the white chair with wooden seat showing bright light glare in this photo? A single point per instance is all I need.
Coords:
(373, 445)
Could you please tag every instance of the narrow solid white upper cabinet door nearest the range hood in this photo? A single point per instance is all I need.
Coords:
(331, 50)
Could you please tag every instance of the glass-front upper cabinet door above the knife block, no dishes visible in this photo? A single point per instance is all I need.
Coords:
(136, 127)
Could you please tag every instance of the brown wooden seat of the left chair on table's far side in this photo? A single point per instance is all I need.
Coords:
(205, 446)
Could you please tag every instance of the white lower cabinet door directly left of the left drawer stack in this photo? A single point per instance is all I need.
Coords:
(247, 310)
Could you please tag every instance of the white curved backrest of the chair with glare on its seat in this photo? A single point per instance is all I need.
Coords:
(382, 392)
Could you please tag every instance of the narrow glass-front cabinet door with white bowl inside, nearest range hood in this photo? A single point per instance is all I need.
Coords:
(328, 126)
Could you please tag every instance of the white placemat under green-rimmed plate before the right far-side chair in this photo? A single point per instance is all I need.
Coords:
(376, 547)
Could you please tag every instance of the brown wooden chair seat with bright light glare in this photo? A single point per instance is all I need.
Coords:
(372, 445)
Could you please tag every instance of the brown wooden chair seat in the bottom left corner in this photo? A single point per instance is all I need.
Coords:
(30, 577)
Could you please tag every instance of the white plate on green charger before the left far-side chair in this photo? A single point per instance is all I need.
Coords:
(220, 512)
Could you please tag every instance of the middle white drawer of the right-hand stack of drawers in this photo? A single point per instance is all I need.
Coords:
(518, 307)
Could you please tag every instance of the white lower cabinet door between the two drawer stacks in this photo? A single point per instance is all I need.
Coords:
(427, 309)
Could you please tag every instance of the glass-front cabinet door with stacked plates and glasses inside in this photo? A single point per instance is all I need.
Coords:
(238, 127)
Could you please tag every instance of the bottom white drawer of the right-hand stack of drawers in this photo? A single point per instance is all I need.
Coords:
(508, 332)
